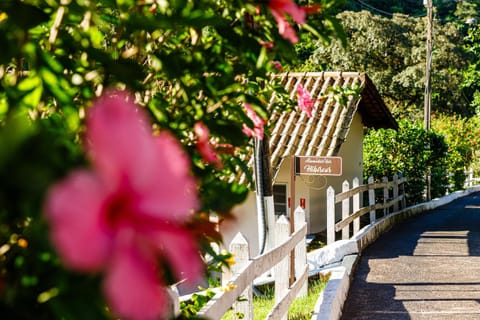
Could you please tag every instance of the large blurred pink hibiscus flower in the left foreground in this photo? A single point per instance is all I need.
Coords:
(129, 212)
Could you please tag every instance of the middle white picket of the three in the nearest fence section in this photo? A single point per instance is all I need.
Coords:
(281, 270)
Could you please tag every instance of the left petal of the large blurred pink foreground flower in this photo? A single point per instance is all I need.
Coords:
(73, 210)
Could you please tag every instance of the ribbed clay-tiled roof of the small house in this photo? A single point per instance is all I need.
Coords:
(294, 133)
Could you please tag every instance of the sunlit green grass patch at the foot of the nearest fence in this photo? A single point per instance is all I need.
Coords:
(301, 308)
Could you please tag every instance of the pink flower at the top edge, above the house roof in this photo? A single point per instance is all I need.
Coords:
(279, 8)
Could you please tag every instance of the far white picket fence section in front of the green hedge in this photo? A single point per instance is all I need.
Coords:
(393, 200)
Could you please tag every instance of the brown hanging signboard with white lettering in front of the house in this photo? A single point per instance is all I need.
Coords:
(320, 166)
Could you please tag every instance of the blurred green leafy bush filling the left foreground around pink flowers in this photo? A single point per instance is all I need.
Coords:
(199, 69)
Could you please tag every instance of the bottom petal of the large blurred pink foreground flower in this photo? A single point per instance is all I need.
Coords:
(132, 286)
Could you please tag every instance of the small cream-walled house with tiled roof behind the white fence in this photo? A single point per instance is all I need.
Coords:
(345, 103)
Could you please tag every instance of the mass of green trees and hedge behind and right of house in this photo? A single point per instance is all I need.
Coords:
(387, 40)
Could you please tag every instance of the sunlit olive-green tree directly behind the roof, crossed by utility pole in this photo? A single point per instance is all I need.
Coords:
(392, 52)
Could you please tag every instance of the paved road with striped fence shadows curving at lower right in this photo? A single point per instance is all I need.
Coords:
(426, 268)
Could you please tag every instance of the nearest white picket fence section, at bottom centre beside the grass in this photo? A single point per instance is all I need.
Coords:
(290, 252)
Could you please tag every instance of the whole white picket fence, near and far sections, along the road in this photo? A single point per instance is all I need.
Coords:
(289, 255)
